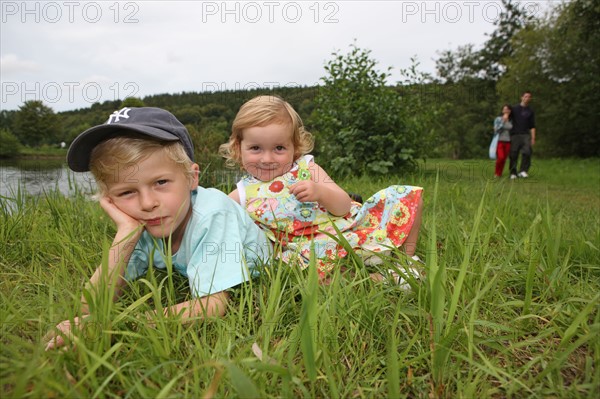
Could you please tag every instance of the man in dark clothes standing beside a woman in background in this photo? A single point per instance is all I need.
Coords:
(522, 137)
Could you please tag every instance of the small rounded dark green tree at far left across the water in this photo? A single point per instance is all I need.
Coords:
(36, 124)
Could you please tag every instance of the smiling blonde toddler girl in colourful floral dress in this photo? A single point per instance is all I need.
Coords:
(298, 205)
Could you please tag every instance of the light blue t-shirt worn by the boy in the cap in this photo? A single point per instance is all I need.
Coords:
(221, 245)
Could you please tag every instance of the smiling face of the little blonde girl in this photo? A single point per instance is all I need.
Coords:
(267, 151)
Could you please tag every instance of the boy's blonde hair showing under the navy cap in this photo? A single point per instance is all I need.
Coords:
(119, 155)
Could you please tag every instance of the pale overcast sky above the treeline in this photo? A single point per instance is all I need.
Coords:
(70, 54)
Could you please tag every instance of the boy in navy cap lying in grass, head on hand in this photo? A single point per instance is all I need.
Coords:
(143, 163)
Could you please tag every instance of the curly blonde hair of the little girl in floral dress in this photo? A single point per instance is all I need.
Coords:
(263, 111)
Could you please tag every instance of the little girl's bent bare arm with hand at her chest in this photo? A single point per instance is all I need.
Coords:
(322, 189)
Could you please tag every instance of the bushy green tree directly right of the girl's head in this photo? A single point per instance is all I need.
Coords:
(357, 118)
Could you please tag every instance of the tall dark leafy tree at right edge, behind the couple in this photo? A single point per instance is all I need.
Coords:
(558, 59)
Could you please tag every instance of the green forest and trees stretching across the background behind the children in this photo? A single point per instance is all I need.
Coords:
(366, 124)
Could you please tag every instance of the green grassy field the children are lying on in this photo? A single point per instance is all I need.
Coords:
(509, 306)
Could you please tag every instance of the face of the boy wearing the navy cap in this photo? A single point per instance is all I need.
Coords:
(155, 192)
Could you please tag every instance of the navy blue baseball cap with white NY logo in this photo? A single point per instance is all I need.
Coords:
(152, 122)
